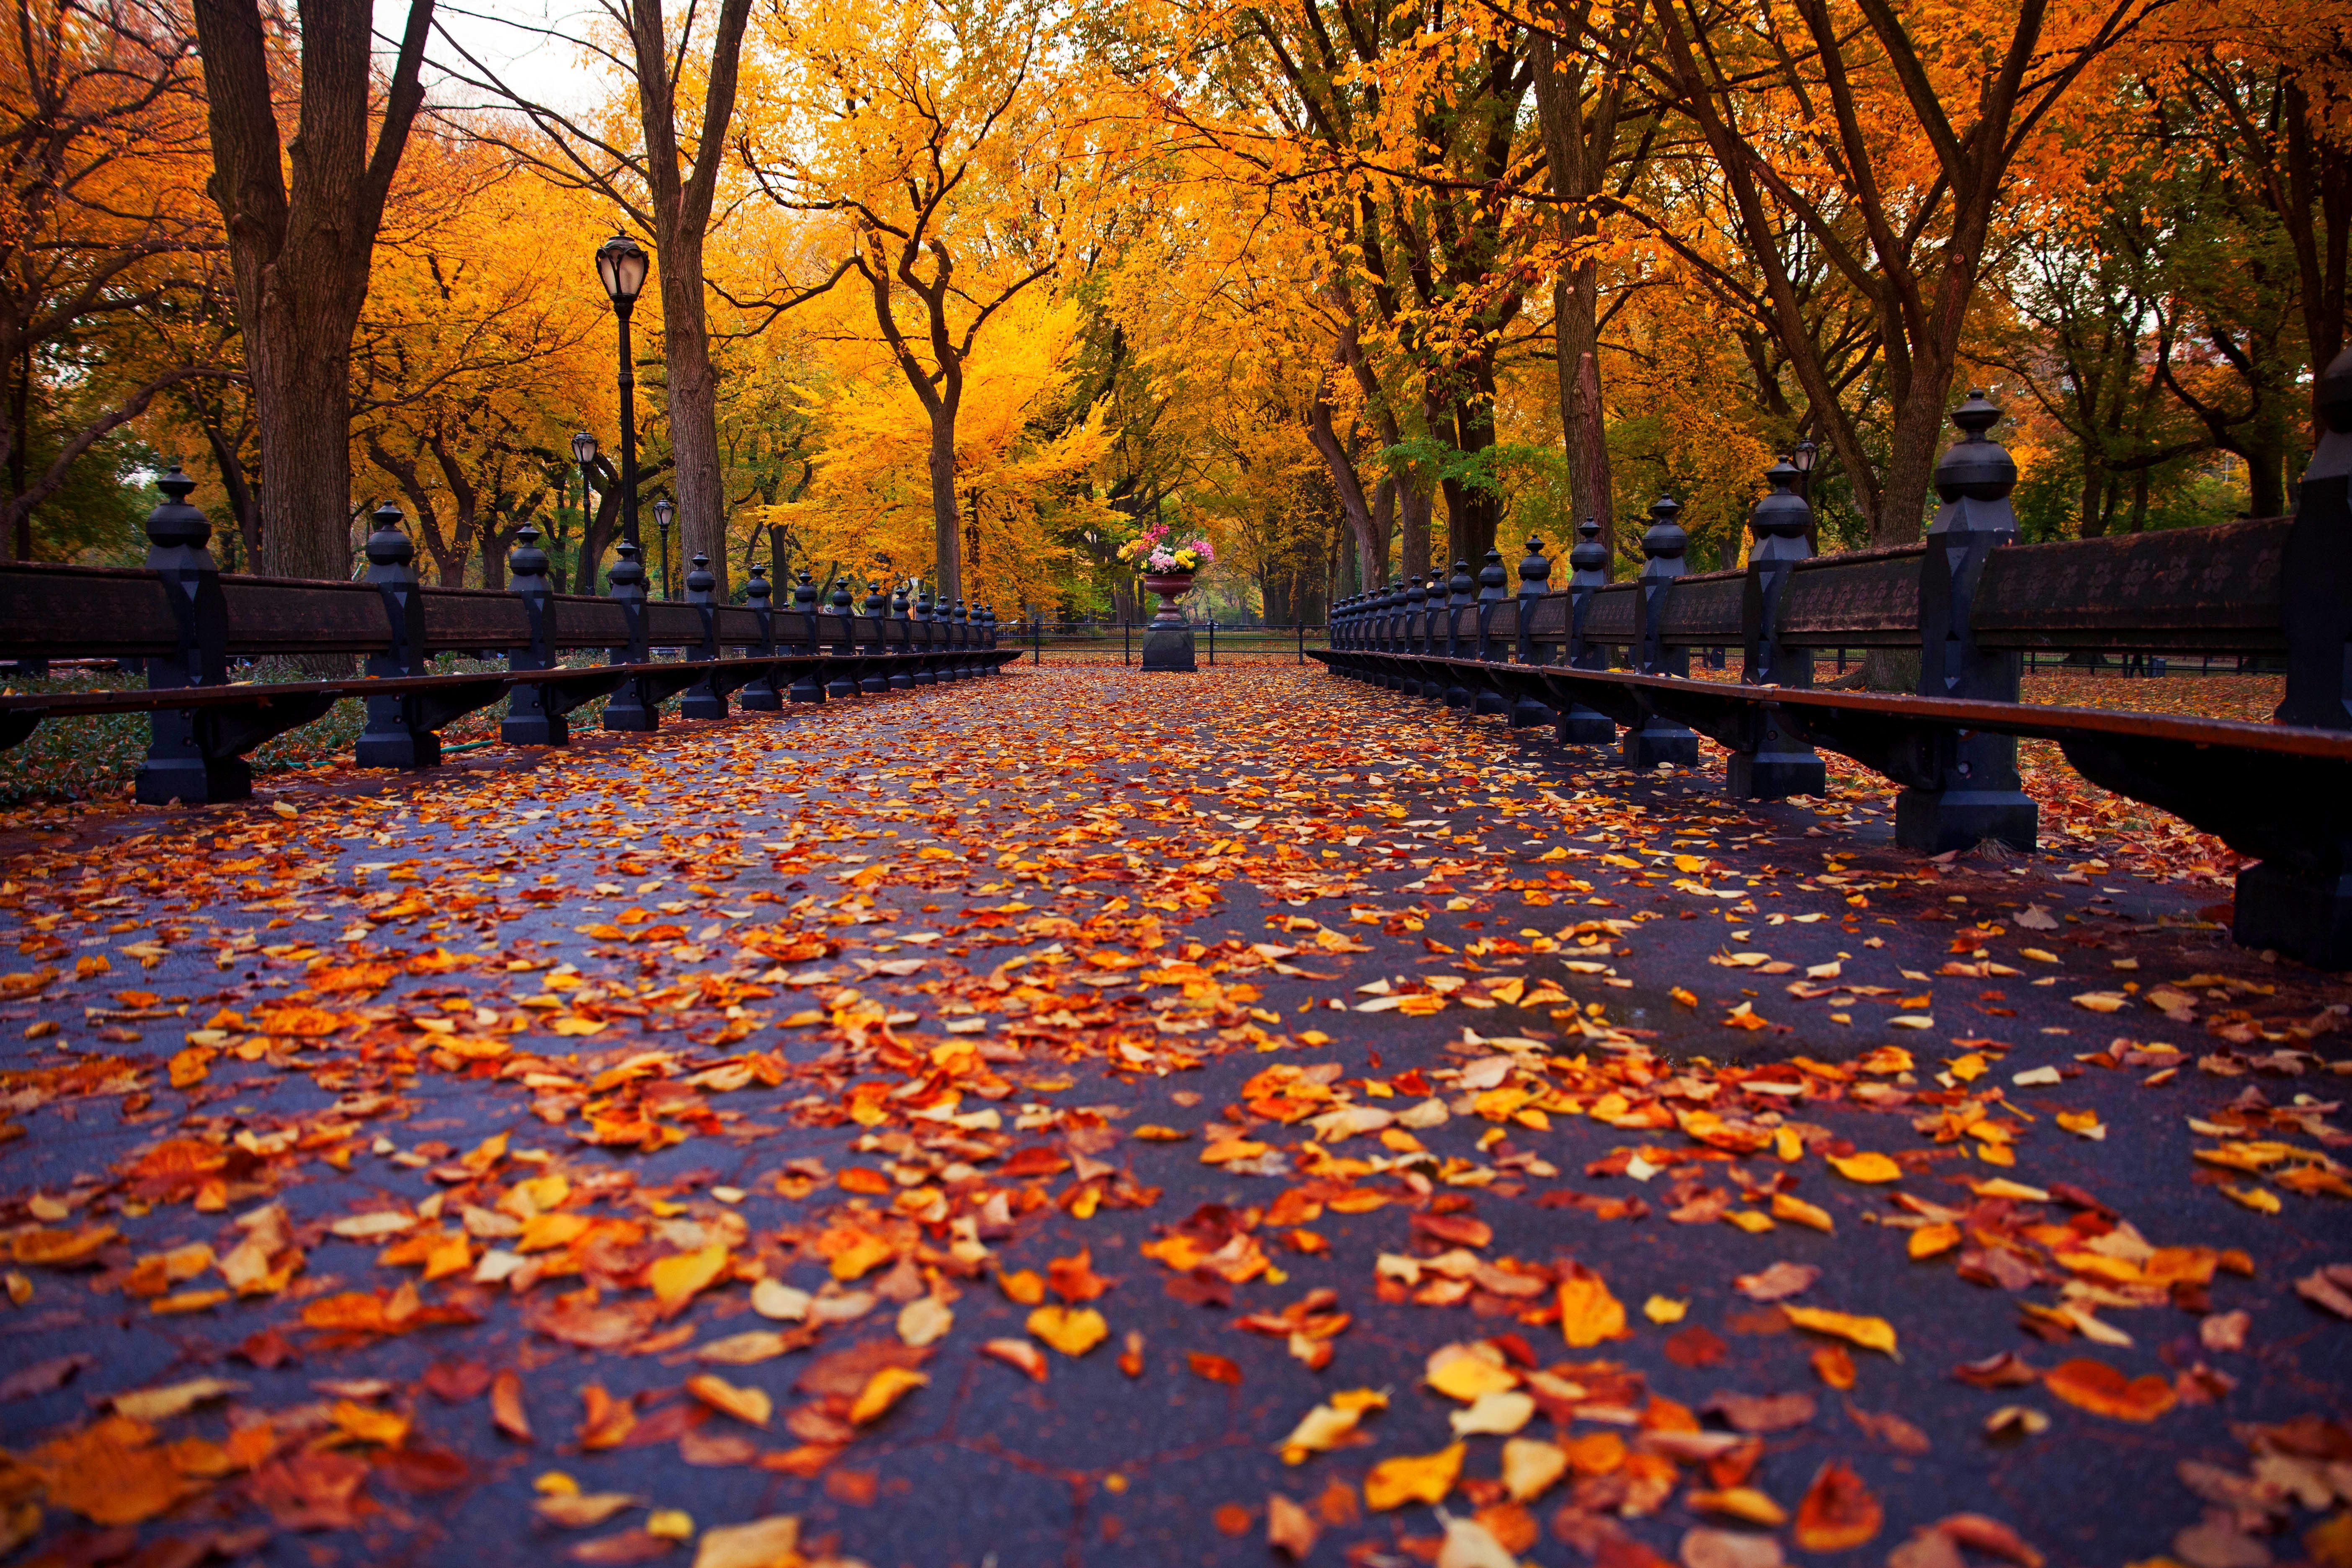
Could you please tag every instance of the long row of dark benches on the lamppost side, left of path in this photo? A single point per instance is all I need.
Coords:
(187, 622)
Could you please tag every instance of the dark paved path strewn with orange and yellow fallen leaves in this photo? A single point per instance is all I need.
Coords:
(1093, 1118)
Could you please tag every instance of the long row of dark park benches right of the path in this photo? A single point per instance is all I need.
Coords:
(1970, 601)
